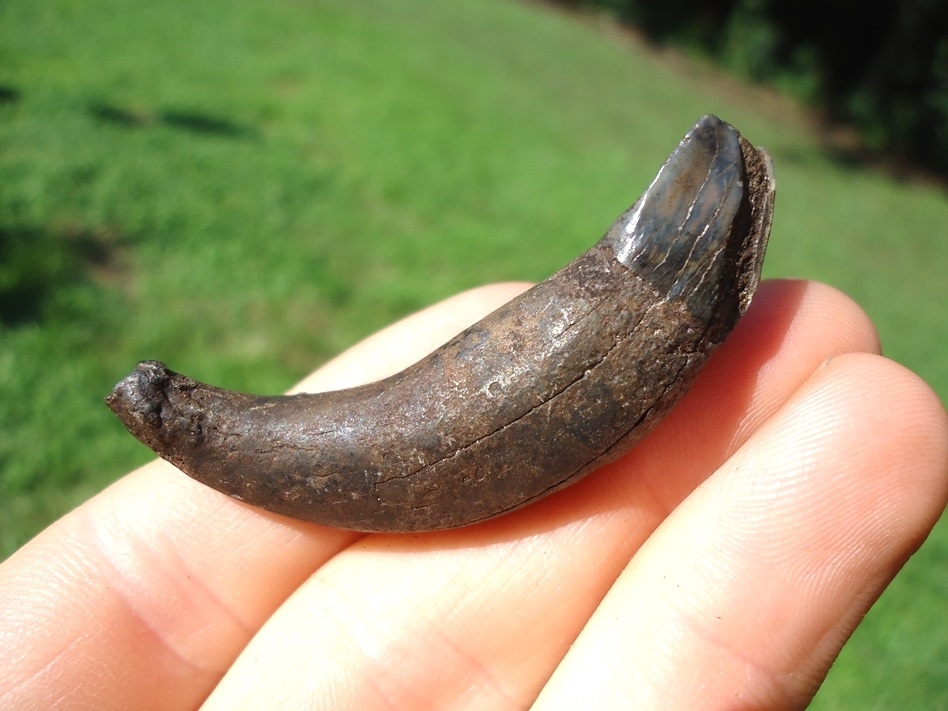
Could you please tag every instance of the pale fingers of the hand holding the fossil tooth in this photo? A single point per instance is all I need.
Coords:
(720, 565)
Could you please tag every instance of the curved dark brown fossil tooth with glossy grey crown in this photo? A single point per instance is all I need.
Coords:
(569, 375)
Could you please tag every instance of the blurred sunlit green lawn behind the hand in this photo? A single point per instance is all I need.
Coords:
(243, 189)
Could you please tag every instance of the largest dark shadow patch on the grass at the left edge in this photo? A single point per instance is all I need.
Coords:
(39, 267)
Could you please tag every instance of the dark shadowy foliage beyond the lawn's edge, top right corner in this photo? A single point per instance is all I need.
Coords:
(882, 66)
